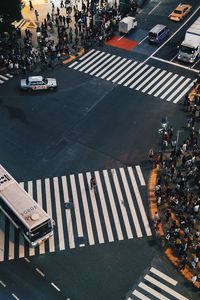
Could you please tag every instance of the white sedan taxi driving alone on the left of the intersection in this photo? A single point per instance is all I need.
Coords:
(33, 83)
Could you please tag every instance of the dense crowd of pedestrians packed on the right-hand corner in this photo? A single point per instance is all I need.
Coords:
(177, 193)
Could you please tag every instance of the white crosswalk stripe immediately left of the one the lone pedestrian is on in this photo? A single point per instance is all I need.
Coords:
(86, 209)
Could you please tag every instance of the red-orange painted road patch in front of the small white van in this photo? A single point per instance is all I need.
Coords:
(122, 43)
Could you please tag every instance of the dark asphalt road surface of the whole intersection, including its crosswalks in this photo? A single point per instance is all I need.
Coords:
(101, 121)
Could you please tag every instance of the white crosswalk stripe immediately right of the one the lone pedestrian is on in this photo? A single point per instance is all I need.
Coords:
(104, 207)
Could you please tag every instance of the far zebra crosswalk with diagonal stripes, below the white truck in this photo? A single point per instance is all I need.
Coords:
(133, 74)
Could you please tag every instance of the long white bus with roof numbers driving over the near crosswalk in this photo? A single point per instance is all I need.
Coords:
(27, 216)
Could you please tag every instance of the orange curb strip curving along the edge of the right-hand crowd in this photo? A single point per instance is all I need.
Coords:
(153, 208)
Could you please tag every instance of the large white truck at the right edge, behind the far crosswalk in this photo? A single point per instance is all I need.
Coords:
(189, 50)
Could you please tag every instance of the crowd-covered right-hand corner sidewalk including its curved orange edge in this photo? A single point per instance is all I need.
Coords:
(175, 194)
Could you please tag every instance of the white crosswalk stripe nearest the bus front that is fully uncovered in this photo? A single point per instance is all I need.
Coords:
(58, 214)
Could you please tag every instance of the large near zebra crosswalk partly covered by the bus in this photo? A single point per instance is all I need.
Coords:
(83, 216)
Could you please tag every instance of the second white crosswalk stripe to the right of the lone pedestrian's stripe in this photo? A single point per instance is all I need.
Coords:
(113, 206)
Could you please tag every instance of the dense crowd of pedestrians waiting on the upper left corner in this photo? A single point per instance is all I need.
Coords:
(65, 30)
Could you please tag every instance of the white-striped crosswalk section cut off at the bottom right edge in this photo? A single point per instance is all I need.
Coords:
(156, 284)
